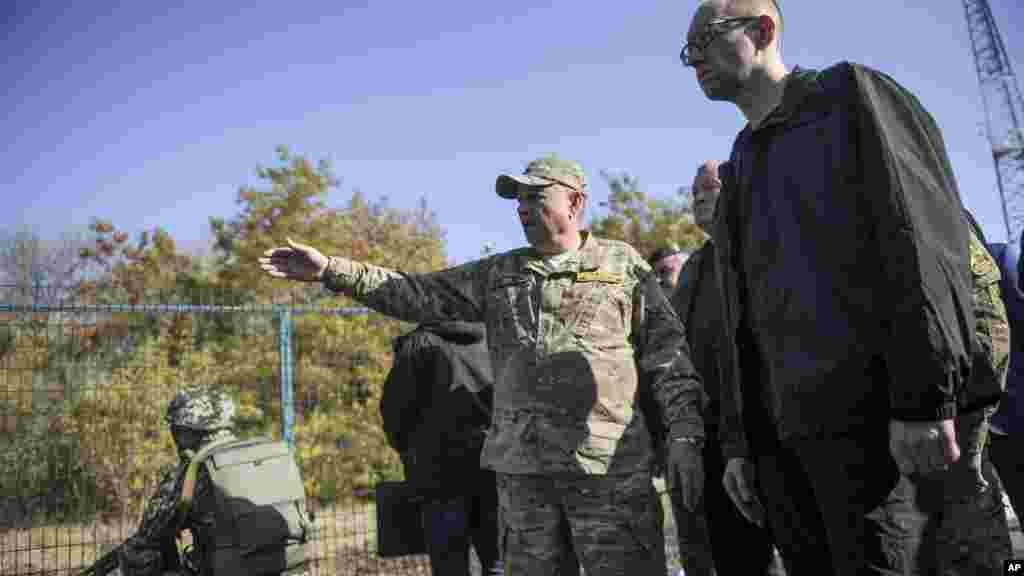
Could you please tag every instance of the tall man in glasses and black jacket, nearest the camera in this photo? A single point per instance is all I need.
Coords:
(843, 265)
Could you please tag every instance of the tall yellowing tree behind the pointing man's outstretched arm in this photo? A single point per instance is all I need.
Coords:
(340, 362)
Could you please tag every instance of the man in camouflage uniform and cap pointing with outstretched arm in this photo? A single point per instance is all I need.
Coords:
(587, 353)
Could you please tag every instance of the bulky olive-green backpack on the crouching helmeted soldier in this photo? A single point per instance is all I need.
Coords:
(261, 520)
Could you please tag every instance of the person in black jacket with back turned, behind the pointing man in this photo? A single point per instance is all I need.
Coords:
(436, 408)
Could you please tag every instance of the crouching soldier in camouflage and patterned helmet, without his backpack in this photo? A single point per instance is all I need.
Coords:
(198, 418)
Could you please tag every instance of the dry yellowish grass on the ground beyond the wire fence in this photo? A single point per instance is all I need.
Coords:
(346, 545)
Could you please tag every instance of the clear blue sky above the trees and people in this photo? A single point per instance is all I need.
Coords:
(154, 115)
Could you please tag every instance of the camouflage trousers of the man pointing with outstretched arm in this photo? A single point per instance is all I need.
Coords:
(551, 525)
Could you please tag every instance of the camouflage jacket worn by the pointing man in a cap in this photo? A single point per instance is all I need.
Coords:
(568, 355)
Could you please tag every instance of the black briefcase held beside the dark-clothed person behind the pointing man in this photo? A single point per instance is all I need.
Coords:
(400, 528)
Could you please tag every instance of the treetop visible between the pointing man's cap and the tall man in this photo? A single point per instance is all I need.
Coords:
(644, 221)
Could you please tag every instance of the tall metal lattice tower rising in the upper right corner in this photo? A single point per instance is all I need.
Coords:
(1004, 112)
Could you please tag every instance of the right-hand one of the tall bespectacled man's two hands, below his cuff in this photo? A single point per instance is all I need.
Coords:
(923, 448)
